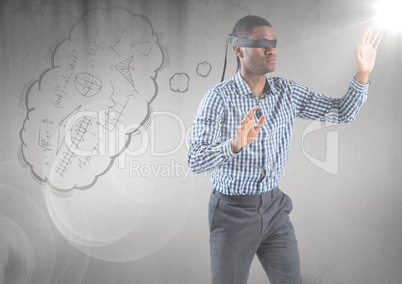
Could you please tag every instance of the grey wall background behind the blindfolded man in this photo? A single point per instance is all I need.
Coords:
(138, 216)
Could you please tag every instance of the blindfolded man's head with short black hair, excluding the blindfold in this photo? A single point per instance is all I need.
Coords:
(255, 60)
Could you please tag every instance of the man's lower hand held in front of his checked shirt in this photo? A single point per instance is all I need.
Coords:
(247, 132)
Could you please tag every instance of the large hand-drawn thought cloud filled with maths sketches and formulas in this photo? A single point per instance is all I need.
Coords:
(102, 80)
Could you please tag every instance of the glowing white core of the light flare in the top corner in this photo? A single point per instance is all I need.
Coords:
(389, 15)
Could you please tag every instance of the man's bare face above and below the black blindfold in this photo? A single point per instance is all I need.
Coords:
(258, 60)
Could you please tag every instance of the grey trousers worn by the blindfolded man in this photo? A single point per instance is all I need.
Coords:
(243, 226)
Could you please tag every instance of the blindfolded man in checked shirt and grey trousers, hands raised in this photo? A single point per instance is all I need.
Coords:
(242, 135)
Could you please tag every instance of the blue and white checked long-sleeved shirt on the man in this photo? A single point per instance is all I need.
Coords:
(258, 167)
